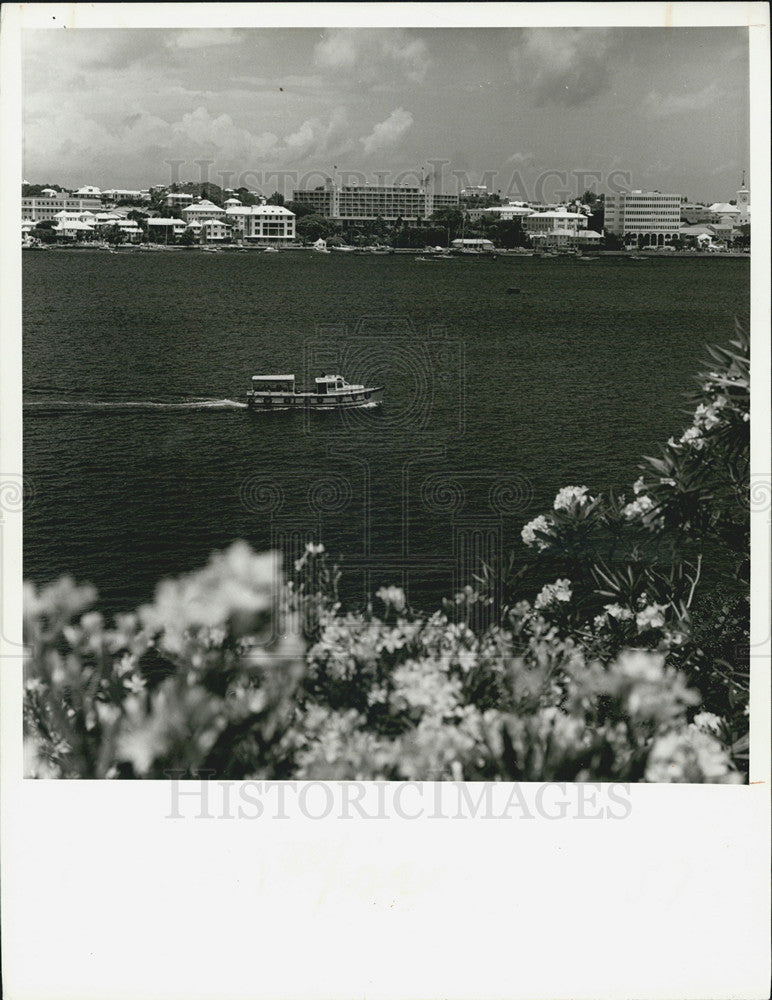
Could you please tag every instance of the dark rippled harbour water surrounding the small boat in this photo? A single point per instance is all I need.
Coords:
(143, 459)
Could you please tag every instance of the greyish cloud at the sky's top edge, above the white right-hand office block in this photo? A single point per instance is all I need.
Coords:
(565, 66)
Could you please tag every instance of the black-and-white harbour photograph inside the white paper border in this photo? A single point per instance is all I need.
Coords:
(386, 403)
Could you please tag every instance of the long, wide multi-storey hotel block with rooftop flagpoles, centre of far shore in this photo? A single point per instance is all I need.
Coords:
(366, 202)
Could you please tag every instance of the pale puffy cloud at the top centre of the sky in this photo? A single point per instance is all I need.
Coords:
(373, 55)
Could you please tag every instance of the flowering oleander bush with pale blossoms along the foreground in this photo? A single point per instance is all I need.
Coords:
(628, 666)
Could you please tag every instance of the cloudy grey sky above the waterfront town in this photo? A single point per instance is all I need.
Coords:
(523, 110)
